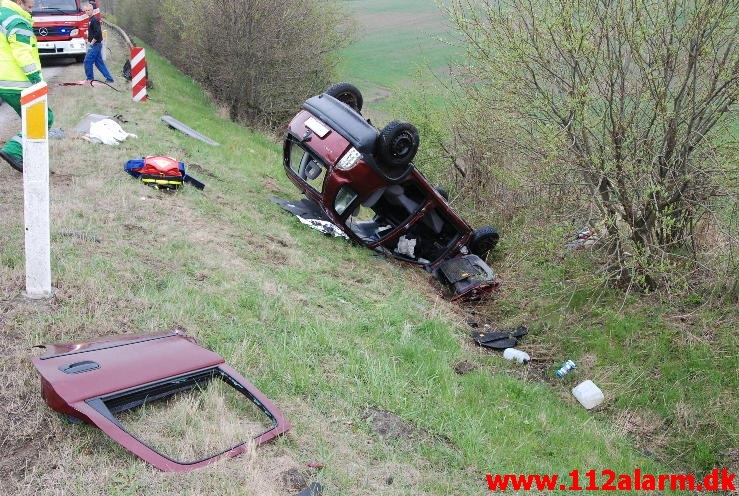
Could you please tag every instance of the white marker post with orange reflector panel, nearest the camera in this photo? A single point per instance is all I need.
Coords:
(35, 125)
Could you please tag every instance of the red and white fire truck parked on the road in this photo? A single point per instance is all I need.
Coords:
(61, 27)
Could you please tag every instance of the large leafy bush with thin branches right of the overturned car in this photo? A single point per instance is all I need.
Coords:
(627, 105)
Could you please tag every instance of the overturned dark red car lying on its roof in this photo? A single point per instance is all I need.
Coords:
(363, 180)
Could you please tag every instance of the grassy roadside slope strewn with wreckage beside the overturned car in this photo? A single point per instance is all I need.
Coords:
(324, 328)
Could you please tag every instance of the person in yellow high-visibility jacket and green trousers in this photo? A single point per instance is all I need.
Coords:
(20, 66)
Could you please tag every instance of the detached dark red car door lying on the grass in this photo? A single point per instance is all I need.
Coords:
(95, 381)
